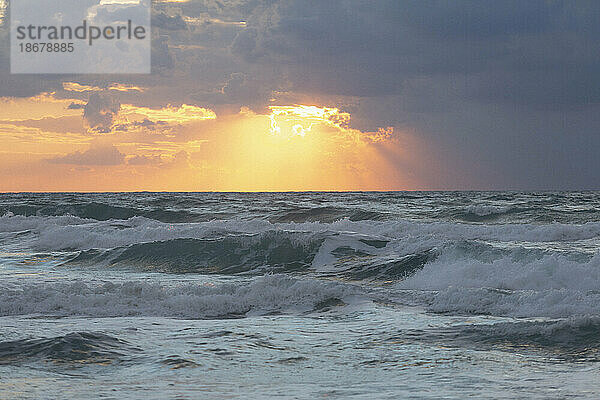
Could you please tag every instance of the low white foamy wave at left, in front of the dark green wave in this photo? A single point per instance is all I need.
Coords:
(264, 295)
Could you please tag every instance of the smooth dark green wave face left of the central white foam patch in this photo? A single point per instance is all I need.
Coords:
(272, 251)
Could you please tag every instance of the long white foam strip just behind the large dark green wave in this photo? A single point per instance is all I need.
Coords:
(56, 233)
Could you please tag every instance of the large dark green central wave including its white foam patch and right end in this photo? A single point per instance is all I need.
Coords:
(348, 256)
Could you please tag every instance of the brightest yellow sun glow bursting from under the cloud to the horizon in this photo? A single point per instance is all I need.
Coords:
(303, 147)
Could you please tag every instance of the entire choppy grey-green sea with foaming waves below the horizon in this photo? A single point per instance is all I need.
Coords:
(300, 295)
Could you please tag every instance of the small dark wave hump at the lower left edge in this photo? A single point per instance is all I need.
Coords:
(76, 347)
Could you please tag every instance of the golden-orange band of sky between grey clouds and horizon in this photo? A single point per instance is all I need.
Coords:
(45, 146)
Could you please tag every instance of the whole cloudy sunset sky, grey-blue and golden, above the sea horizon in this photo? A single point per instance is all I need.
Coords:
(276, 95)
